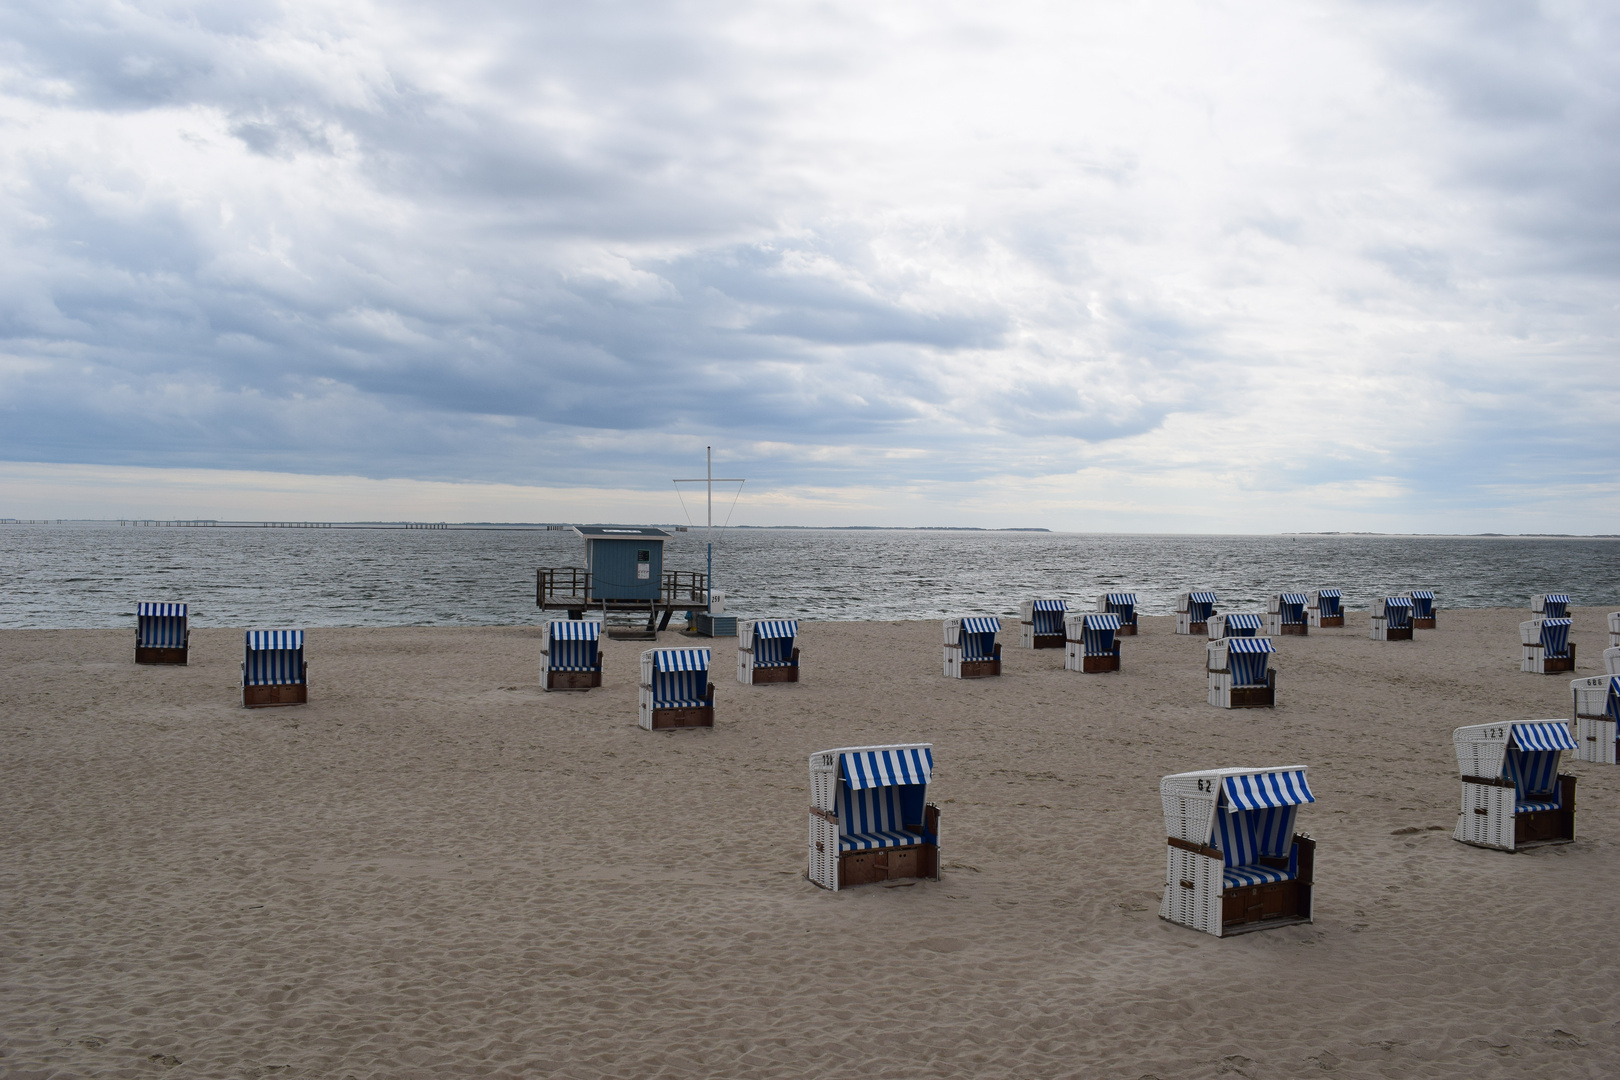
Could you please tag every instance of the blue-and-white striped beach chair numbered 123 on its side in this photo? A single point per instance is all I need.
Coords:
(1514, 794)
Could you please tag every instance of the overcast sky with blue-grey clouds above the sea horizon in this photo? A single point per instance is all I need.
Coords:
(1153, 266)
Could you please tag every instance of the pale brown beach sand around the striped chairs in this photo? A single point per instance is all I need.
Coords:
(437, 870)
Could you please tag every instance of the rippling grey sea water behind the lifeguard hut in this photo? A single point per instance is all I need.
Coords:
(93, 576)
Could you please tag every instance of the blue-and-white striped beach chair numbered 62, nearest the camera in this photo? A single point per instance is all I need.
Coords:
(1234, 861)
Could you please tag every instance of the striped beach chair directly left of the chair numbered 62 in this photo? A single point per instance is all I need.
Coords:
(871, 819)
